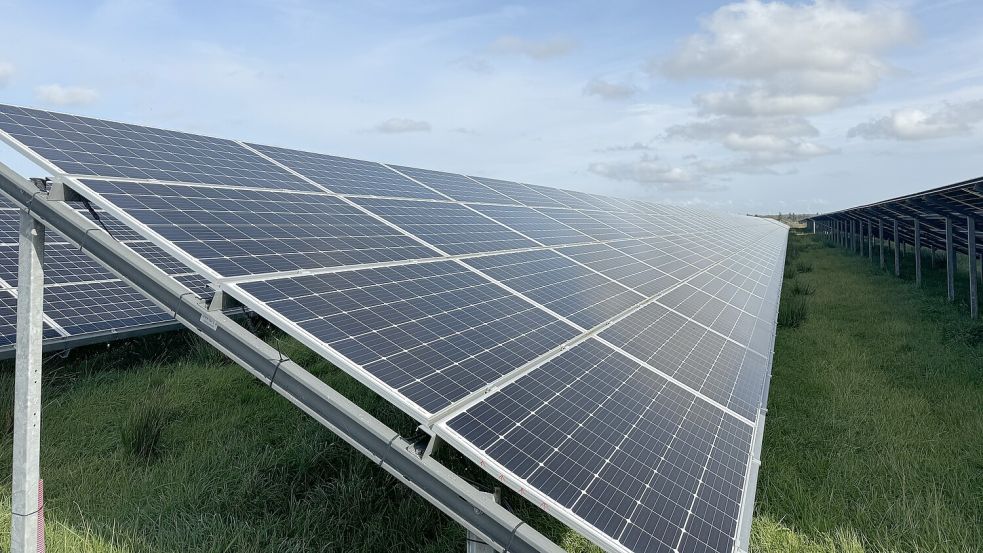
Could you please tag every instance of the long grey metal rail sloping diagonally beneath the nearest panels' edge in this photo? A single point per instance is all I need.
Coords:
(433, 481)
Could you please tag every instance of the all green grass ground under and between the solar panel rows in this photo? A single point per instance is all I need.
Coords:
(874, 439)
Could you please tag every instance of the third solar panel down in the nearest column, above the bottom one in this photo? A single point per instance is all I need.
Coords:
(432, 332)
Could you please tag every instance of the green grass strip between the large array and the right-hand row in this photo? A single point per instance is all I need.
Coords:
(874, 435)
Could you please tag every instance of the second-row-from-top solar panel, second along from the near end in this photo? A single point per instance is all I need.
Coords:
(452, 228)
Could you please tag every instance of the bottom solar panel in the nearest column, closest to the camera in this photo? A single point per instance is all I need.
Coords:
(625, 450)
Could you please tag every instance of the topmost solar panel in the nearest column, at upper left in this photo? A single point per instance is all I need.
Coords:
(85, 146)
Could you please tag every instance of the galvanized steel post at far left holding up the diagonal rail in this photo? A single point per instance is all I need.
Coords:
(27, 517)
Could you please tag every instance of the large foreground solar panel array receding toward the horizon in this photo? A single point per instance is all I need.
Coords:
(608, 358)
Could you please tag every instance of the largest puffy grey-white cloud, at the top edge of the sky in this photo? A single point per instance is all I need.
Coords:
(789, 59)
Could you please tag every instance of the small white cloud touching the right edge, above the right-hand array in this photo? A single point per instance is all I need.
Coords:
(951, 119)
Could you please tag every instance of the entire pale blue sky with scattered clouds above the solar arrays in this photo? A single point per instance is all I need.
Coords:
(744, 107)
